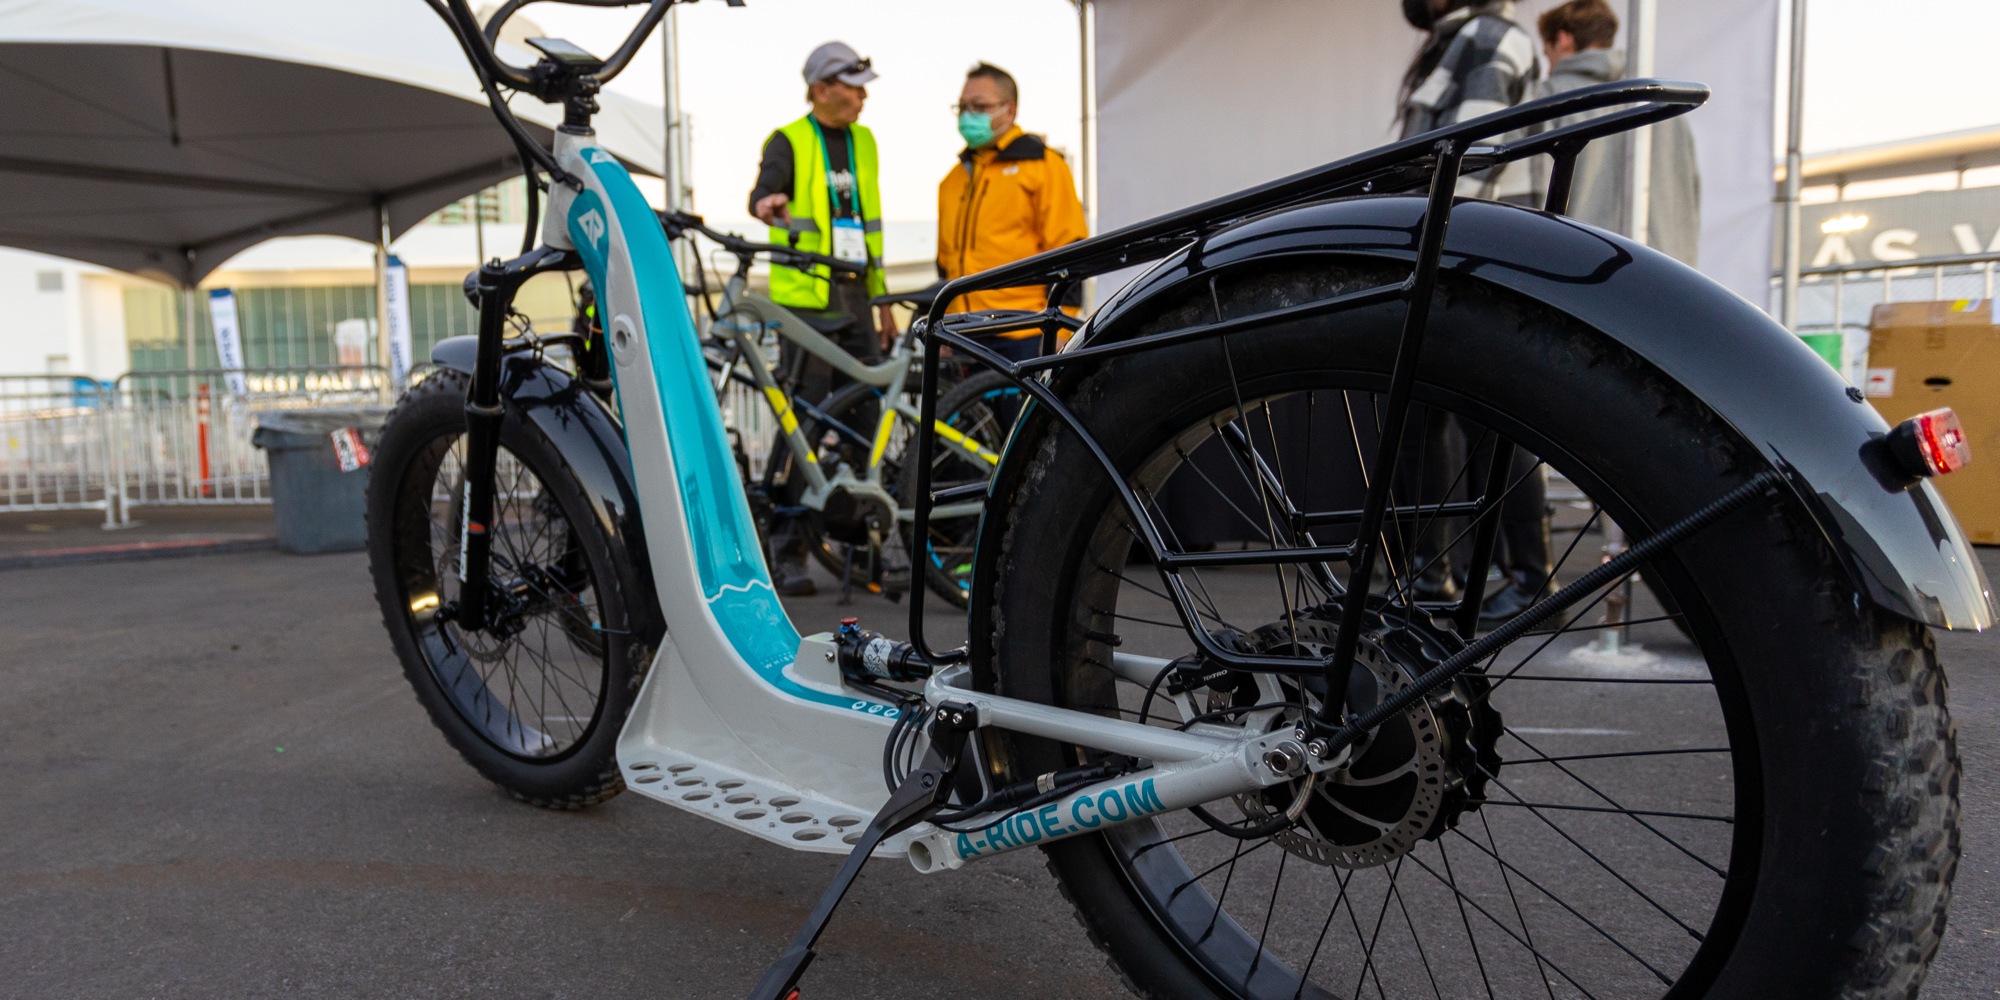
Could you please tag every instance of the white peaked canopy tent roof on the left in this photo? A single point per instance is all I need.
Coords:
(163, 137)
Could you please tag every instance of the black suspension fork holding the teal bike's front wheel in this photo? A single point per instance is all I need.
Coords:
(497, 287)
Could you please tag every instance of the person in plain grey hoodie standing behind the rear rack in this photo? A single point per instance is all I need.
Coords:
(1579, 43)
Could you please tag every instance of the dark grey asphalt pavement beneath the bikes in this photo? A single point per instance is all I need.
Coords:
(219, 785)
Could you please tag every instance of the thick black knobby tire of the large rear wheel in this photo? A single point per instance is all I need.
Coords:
(1847, 881)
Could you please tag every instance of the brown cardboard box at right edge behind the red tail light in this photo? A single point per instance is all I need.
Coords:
(1929, 355)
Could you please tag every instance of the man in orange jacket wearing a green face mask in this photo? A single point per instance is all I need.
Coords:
(1009, 197)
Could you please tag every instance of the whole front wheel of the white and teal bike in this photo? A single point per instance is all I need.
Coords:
(533, 701)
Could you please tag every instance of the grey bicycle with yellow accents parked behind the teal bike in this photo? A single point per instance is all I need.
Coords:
(839, 461)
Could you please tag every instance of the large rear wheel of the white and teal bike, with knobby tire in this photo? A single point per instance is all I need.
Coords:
(1769, 813)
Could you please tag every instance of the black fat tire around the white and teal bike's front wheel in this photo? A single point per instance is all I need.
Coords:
(425, 421)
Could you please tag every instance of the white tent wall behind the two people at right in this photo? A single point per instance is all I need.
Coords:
(1205, 97)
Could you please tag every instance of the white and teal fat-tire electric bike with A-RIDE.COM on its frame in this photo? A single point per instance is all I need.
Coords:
(1257, 761)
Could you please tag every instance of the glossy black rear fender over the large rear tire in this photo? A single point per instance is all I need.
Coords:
(1901, 547)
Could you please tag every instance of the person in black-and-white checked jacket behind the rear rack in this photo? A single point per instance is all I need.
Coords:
(1475, 61)
